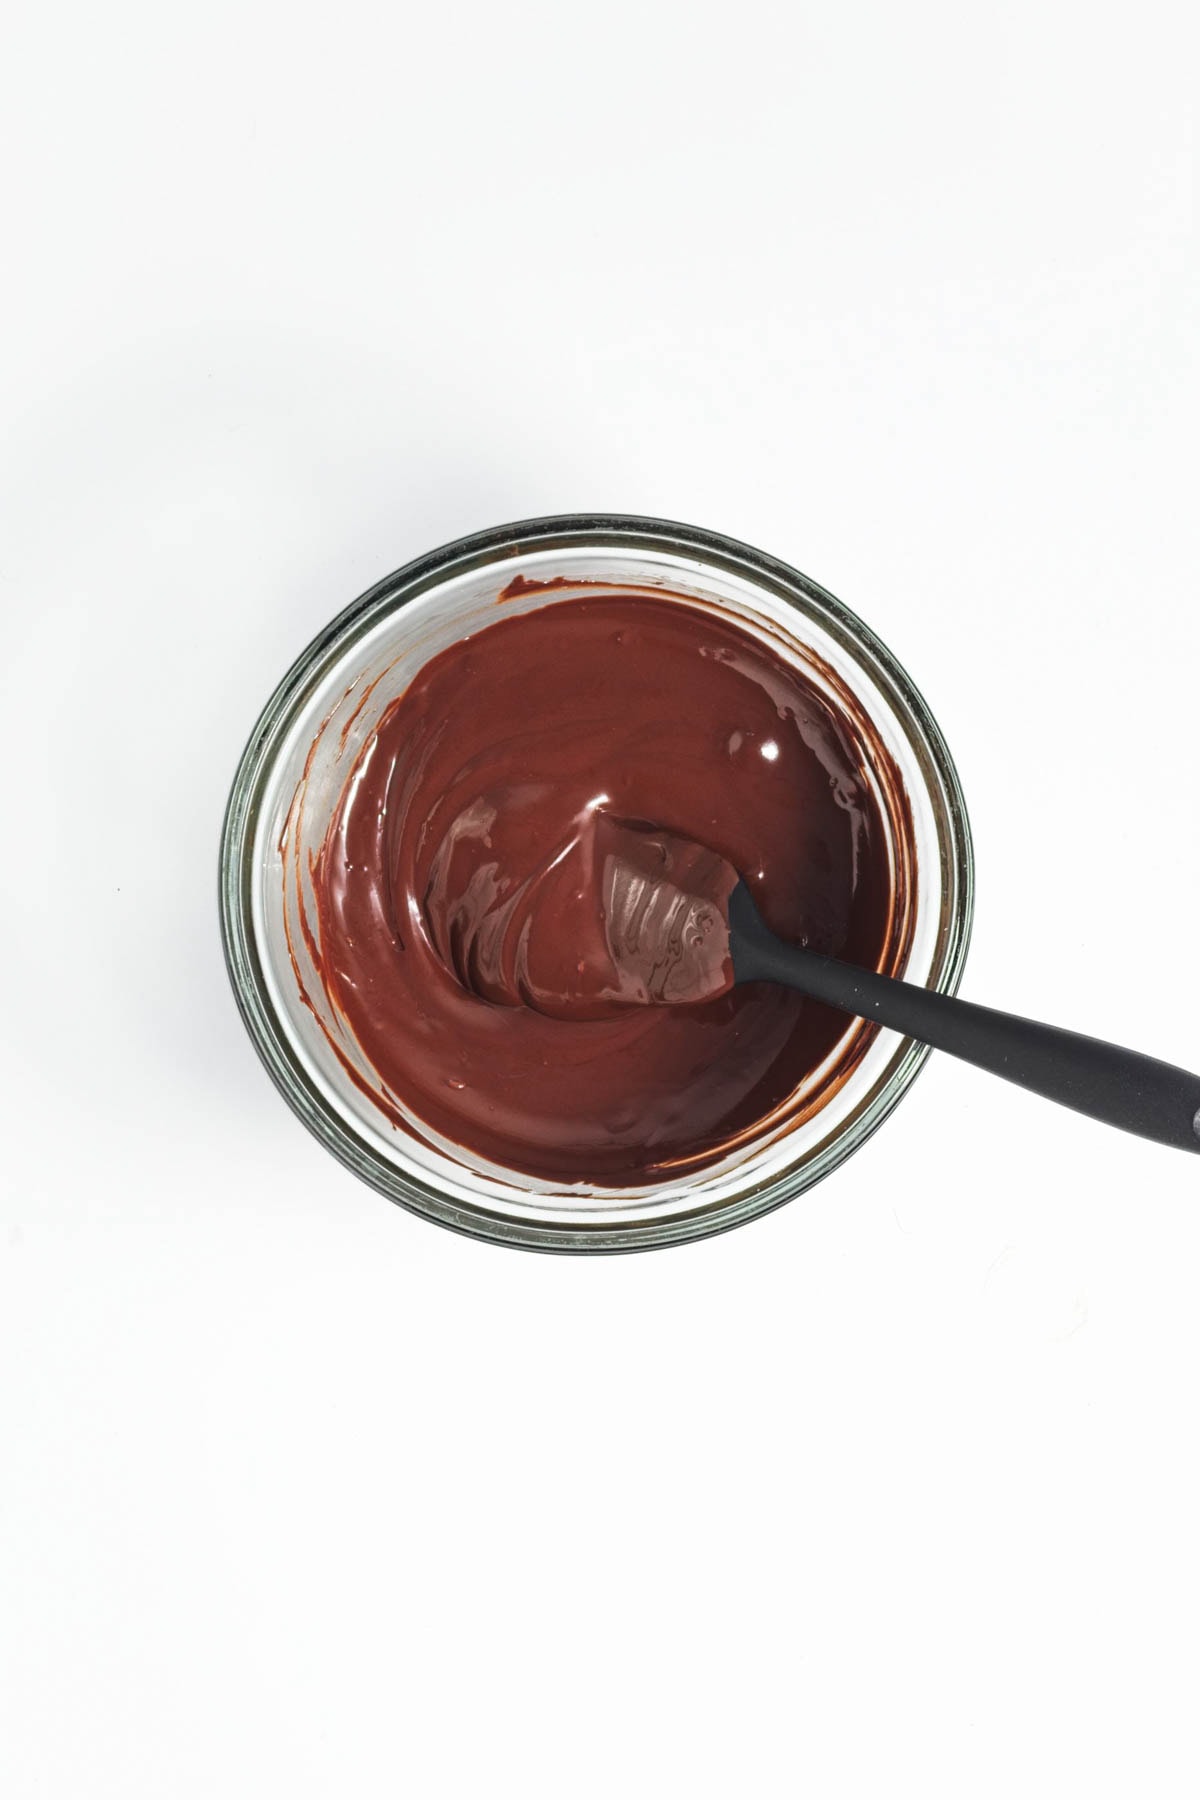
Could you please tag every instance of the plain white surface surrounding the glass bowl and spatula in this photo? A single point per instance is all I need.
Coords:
(895, 1491)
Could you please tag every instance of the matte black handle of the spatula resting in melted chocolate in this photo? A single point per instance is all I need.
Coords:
(1107, 1083)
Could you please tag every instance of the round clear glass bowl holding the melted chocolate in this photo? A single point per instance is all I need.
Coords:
(305, 746)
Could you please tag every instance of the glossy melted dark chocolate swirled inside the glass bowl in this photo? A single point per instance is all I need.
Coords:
(485, 805)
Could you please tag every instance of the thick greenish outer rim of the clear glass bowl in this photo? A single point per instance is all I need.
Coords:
(240, 829)
